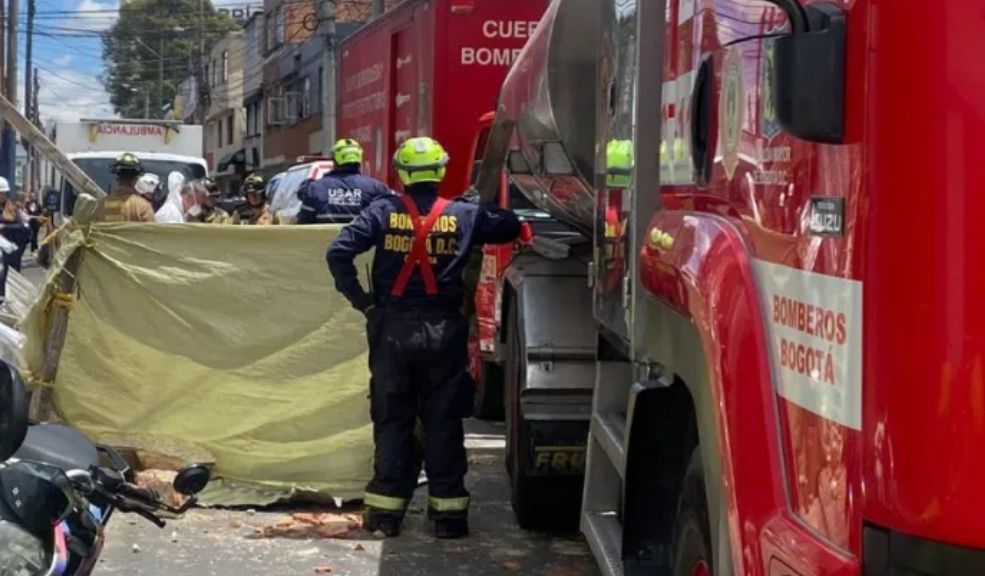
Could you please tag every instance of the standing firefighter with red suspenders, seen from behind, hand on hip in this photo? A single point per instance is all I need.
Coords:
(417, 334)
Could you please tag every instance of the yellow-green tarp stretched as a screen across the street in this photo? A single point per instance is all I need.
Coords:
(229, 337)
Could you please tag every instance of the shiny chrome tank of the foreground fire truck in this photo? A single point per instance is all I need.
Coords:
(550, 97)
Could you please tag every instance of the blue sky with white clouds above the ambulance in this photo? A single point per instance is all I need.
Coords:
(68, 54)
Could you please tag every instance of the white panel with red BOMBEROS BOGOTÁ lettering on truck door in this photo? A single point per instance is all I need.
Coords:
(814, 325)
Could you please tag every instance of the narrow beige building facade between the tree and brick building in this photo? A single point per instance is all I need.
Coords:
(225, 121)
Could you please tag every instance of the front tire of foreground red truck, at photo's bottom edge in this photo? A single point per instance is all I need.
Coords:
(692, 535)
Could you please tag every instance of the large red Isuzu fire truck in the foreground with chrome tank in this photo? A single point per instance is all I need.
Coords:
(769, 322)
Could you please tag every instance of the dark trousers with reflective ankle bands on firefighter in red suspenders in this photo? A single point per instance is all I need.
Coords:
(418, 360)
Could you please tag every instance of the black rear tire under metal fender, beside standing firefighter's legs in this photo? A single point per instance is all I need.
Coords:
(539, 503)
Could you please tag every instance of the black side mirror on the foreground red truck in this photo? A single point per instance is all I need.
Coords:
(809, 72)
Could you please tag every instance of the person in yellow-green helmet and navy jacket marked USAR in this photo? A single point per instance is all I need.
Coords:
(342, 193)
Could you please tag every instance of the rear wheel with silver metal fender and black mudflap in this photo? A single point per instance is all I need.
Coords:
(549, 369)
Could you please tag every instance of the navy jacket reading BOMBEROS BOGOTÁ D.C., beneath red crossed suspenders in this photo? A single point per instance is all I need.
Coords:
(385, 226)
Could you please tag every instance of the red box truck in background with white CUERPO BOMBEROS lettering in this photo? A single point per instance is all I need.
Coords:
(423, 67)
